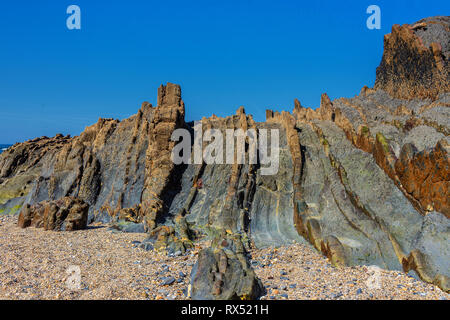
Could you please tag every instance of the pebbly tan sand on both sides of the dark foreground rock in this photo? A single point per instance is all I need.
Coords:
(100, 264)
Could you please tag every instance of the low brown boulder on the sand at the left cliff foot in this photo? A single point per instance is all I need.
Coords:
(65, 214)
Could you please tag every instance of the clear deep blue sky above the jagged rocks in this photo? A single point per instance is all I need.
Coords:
(260, 54)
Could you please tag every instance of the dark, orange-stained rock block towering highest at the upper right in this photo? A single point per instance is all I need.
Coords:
(415, 62)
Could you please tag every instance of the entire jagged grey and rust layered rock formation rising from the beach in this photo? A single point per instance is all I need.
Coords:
(365, 180)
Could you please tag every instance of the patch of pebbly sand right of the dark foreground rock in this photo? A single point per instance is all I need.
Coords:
(299, 272)
